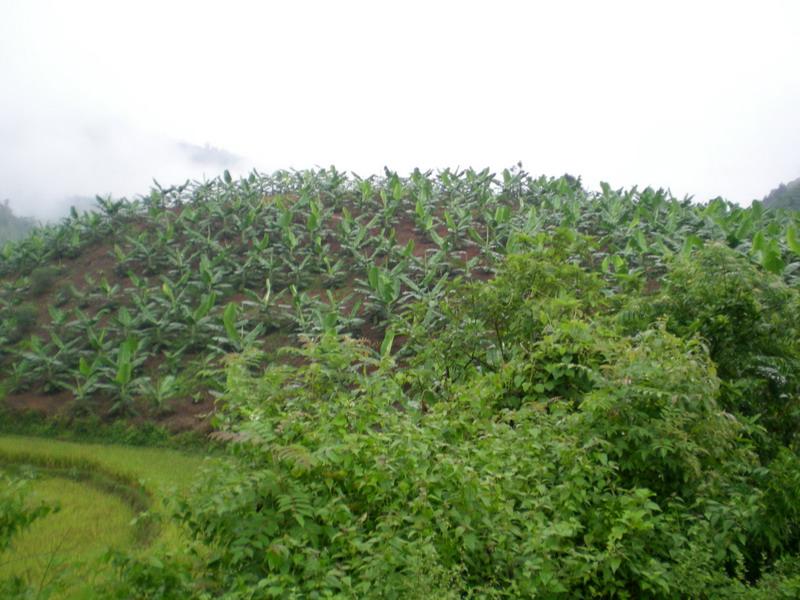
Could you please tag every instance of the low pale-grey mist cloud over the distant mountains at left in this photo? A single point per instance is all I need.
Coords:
(49, 158)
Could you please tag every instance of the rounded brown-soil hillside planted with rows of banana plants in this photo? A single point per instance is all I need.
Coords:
(131, 310)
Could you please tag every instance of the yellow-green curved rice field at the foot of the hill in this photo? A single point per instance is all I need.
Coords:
(94, 516)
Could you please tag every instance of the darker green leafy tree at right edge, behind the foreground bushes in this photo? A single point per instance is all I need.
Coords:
(751, 323)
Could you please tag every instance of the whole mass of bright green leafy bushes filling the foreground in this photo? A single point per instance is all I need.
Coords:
(582, 462)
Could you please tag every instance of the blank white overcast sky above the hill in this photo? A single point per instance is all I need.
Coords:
(96, 97)
